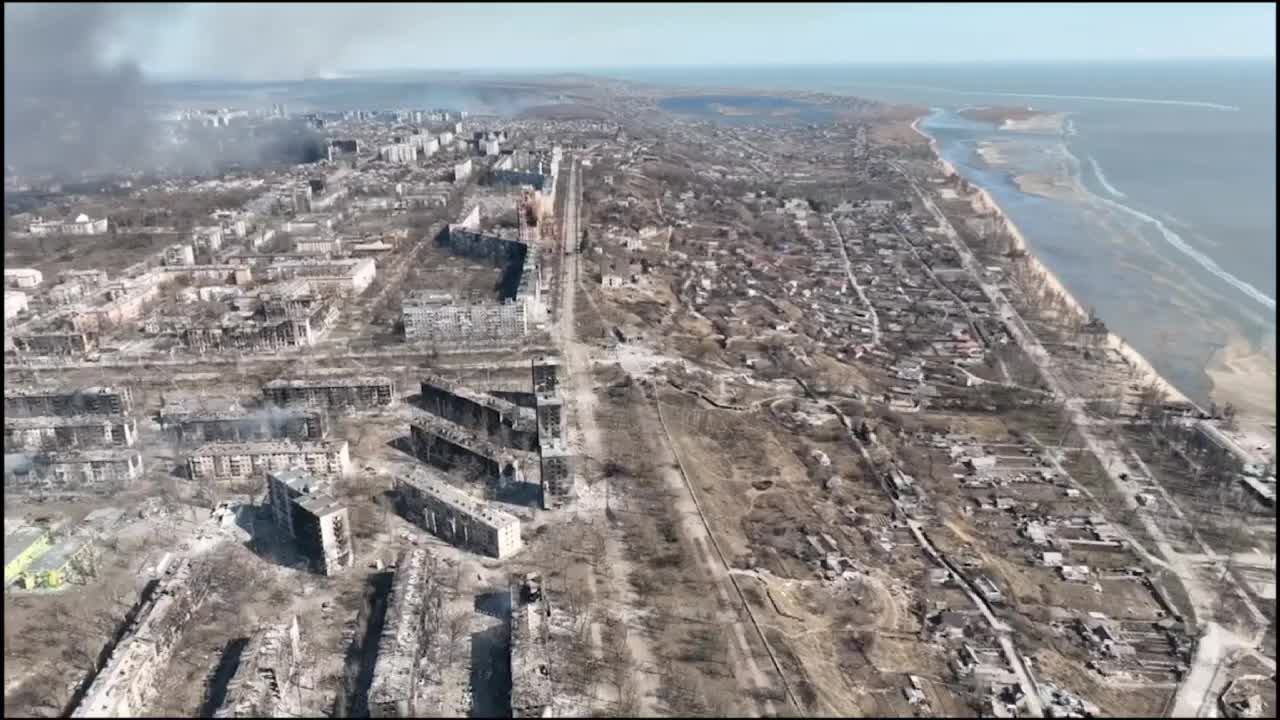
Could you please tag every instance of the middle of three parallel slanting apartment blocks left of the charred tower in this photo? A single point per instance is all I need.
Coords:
(449, 445)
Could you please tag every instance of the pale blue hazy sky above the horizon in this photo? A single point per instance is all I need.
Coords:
(287, 42)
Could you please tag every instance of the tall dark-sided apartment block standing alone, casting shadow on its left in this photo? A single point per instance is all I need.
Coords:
(319, 525)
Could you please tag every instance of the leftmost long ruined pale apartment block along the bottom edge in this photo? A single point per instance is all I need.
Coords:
(127, 683)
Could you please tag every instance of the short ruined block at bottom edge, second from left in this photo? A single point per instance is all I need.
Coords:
(268, 667)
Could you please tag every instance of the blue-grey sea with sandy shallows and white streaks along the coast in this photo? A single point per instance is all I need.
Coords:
(1168, 227)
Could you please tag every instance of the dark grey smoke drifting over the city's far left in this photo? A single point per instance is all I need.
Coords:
(72, 111)
